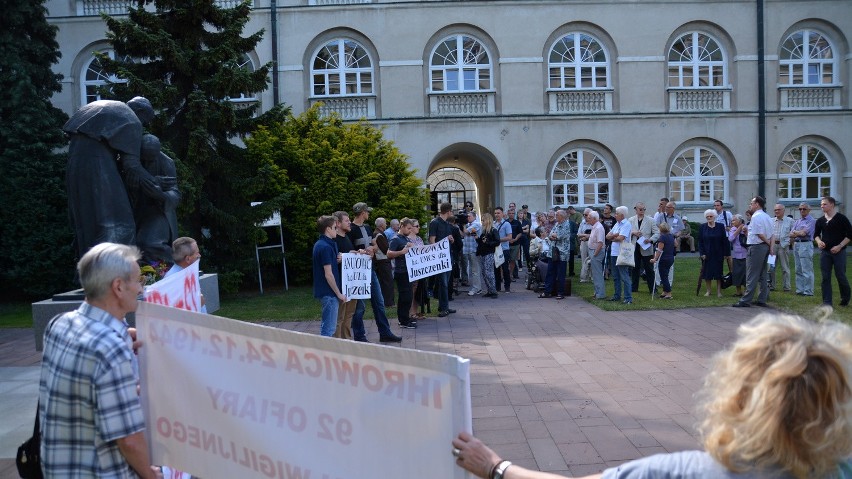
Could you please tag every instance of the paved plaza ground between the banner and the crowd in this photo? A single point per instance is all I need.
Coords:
(559, 386)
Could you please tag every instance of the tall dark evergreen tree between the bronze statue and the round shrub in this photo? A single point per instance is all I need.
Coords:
(188, 61)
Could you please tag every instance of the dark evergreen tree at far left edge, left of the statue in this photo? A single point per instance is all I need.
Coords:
(35, 238)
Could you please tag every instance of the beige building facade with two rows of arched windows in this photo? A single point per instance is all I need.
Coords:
(555, 103)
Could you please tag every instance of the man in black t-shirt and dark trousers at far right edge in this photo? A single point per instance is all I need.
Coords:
(832, 233)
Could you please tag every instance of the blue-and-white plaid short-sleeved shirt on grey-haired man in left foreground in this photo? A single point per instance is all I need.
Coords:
(87, 395)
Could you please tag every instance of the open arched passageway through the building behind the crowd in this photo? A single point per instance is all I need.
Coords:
(465, 172)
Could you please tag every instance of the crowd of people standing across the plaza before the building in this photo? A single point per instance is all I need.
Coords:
(489, 250)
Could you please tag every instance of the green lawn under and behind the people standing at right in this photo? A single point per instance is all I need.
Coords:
(683, 291)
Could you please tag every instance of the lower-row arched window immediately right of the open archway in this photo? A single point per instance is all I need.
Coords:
(580, 177)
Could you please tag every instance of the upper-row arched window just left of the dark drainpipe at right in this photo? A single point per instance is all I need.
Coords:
(696, 60)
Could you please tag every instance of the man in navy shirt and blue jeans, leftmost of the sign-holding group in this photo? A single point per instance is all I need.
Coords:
(327, 281)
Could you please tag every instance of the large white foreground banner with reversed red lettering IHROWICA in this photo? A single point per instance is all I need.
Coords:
(225, 398)
